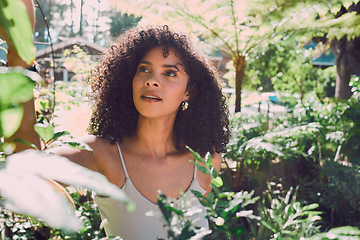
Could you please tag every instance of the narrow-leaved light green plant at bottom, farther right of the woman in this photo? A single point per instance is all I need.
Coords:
(284, 217)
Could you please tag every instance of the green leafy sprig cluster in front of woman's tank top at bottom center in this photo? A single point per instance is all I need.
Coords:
(224, 210)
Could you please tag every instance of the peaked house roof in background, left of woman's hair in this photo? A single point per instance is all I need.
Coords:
(66, 43)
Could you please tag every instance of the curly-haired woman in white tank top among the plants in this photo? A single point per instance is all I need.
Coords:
(153, 95)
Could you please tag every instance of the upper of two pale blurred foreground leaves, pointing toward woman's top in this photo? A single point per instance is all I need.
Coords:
(62, 170)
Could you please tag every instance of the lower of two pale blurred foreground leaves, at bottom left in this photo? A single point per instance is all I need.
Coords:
(32, 195)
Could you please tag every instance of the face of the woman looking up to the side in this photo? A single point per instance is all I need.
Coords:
(160, 84)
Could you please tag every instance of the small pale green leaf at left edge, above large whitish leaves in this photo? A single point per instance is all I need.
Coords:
(10, 120)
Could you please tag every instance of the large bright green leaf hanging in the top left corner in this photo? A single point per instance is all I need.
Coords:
(15, 21)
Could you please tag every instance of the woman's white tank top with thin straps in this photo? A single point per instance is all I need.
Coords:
(136, 225)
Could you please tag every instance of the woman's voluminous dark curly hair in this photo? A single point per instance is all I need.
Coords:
(204, 126)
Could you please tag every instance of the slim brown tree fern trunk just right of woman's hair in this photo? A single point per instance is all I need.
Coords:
(240, 66)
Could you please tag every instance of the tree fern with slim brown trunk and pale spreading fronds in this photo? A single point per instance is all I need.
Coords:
(224, 25)
